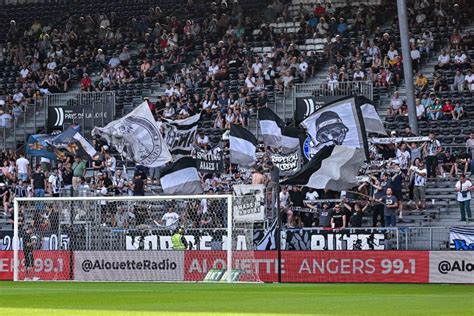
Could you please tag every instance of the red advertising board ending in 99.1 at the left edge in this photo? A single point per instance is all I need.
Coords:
(48, 265)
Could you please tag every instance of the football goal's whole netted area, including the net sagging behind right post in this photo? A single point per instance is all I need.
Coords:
(159, 238)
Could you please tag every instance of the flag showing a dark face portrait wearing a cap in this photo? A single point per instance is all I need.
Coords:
(339, 123)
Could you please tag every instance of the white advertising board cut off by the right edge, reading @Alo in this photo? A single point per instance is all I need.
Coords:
(451, 267)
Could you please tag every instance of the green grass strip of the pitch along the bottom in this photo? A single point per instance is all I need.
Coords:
(42, 298)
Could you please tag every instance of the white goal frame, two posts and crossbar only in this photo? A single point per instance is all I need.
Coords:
(228, 197)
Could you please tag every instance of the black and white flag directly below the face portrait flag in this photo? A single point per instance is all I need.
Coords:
(333, 167)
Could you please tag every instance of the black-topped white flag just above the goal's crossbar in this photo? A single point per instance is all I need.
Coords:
(181, 177)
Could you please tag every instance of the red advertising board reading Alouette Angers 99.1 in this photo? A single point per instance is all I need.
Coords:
(316, 266)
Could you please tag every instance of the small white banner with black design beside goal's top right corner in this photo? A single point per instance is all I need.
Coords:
(249, 202)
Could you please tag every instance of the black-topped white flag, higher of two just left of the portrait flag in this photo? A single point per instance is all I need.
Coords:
(271, 126)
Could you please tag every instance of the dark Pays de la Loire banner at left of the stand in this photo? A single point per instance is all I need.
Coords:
(88, 115)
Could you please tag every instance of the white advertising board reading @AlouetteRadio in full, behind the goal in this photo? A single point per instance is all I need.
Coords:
(128, 266)
